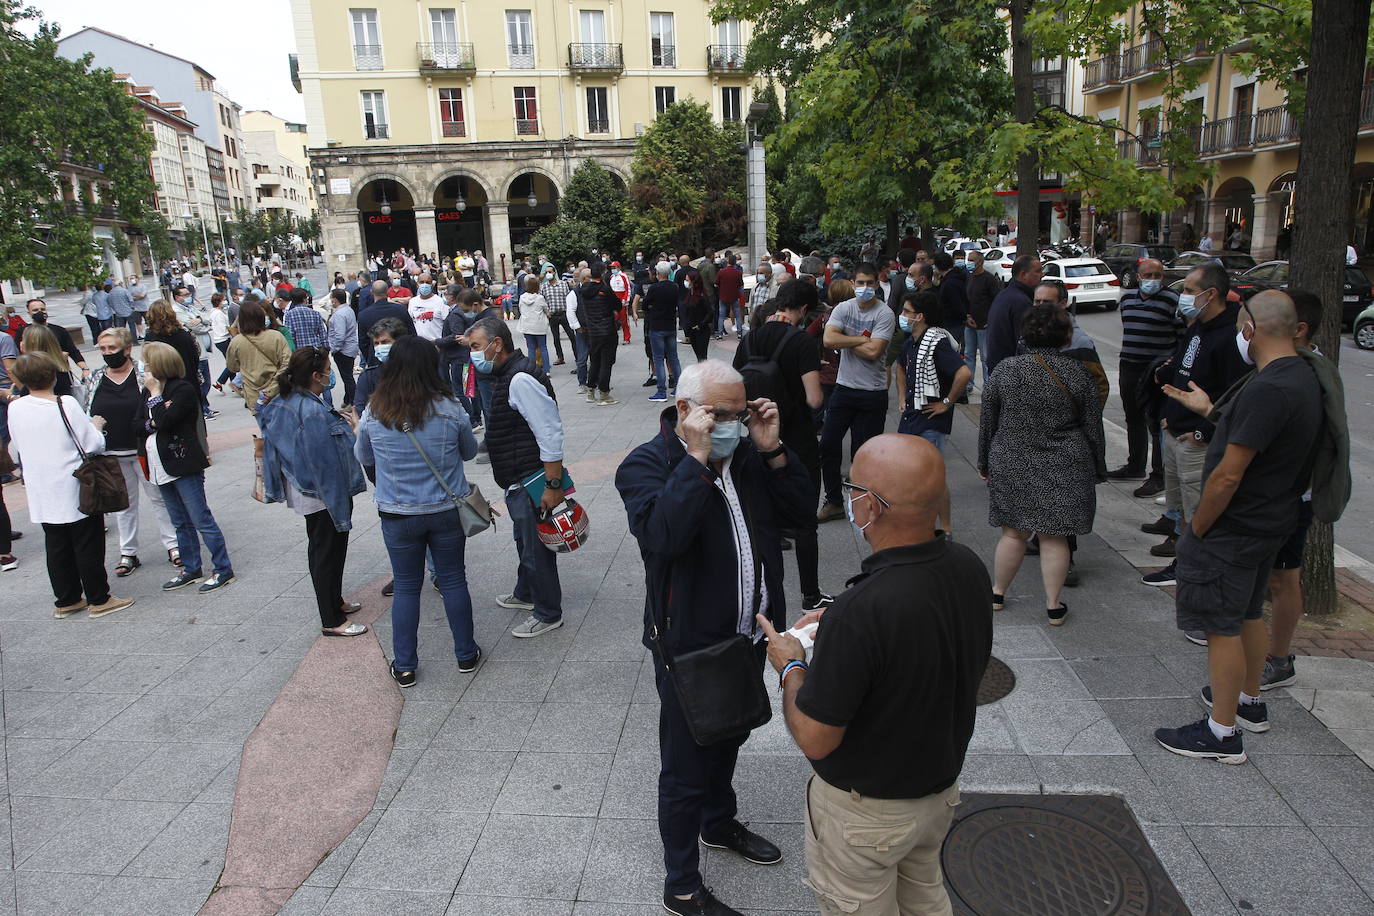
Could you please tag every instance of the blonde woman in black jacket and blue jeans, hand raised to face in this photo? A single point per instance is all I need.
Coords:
(178, 455)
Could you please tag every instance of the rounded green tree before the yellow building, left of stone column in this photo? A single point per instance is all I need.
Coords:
(689, 182)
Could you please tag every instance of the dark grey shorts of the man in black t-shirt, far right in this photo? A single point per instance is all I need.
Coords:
(1224, 580)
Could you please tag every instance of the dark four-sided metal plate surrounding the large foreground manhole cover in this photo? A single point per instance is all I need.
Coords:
(1055, 856)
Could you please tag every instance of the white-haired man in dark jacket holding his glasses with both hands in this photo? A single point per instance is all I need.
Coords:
(706, 501)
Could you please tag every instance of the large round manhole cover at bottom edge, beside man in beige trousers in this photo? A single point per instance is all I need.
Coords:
(1031, 860)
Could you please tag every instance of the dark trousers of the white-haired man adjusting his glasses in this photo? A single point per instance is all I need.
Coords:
(696, 796)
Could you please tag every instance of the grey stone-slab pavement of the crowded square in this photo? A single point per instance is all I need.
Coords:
(530, 788)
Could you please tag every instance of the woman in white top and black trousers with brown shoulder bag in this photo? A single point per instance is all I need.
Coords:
(47, 437)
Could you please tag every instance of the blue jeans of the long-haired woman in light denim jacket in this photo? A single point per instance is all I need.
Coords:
(407, 539)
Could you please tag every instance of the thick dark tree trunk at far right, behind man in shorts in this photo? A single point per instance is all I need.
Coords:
(1322, 230)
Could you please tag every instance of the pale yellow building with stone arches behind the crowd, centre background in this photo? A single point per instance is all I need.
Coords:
(455, 124)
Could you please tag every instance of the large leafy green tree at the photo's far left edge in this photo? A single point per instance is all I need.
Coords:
(64, 112)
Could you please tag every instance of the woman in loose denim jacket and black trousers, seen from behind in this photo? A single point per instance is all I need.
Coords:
(308, 463)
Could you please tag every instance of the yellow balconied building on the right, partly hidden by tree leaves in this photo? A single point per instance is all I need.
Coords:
(1247, 134)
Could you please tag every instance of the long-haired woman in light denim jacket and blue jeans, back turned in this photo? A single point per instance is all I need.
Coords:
(417, 509)
